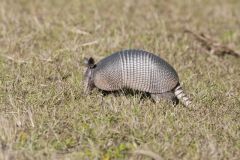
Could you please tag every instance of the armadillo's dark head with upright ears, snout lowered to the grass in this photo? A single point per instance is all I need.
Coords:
(88, 76)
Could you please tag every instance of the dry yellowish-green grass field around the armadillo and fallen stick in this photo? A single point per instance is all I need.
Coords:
(45, 115)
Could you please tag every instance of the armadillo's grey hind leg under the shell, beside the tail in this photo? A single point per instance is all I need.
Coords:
(166, 96)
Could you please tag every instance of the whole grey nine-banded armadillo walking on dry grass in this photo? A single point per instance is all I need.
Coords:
(137, 70)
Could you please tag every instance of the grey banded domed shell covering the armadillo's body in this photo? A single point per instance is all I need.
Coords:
(135, 69)
